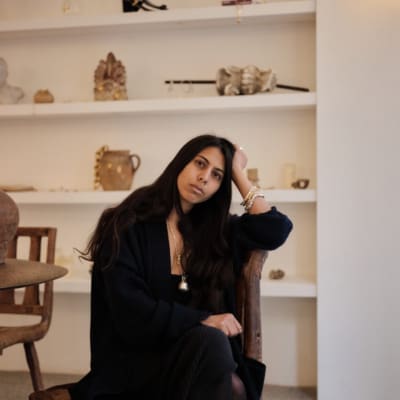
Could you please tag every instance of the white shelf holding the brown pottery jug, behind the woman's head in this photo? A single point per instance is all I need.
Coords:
(113, 197)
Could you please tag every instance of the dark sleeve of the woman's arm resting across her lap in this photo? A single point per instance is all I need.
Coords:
(136, 313)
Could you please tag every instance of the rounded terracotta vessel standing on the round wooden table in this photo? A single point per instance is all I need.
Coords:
(9, 219)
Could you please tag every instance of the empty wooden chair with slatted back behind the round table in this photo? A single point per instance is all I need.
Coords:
(32, 304)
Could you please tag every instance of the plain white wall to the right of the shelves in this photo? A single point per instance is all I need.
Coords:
(358, 127)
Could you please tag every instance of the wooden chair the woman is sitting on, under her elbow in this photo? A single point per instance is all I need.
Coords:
(248, 303)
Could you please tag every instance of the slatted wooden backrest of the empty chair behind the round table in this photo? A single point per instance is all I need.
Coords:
(31, 303)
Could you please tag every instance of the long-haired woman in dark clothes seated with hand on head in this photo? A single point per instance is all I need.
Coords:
(164, 265)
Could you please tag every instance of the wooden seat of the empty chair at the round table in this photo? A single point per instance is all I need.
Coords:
(10, 335)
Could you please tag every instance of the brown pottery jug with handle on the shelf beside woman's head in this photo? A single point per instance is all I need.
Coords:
(116, 169)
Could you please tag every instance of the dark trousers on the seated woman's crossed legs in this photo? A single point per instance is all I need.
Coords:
(199, 366)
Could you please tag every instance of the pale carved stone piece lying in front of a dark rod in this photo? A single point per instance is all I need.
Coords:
(233, 80)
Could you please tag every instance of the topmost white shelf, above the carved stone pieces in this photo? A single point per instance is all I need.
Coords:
(287, 11)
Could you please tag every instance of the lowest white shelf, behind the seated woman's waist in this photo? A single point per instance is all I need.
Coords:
(287, 287)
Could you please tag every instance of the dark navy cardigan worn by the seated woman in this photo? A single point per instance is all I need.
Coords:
(132, 312)
